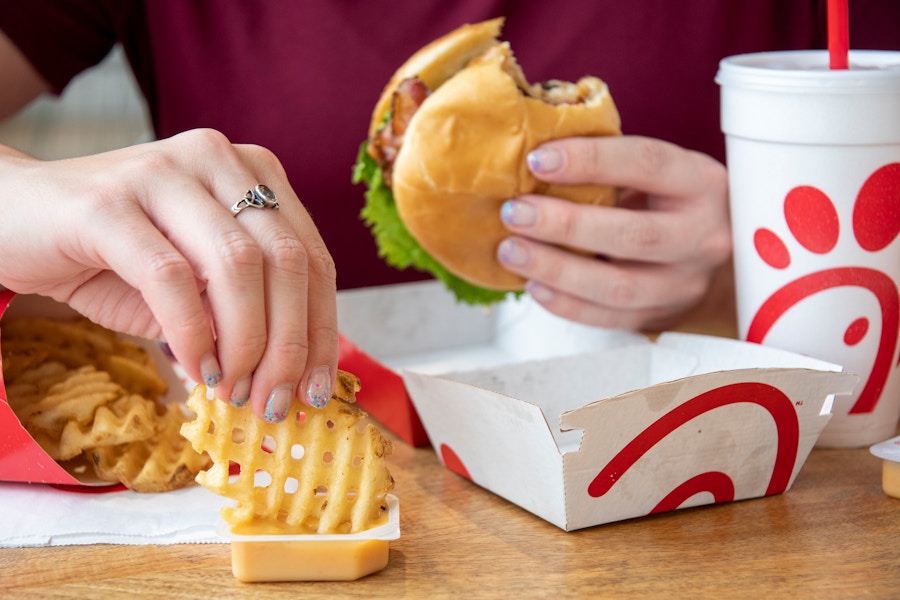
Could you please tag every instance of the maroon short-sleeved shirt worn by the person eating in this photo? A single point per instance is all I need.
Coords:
(301, 77)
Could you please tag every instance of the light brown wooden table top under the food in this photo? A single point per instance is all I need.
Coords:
(834, 534)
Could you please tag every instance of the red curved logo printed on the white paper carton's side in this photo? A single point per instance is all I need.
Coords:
(718, 484)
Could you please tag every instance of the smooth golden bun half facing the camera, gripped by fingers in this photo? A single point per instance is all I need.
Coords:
(464, 154)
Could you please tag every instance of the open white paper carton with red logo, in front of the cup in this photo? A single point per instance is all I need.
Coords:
(582, 426)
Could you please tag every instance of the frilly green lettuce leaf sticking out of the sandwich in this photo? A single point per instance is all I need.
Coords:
(396, 245)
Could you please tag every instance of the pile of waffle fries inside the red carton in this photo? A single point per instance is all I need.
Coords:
(85, 394)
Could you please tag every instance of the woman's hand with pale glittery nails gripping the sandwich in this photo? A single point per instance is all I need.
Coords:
(640, 264)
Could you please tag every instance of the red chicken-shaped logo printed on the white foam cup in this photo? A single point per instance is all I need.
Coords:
(814, 223)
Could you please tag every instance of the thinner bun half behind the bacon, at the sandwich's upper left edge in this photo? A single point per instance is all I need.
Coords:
(439, 60)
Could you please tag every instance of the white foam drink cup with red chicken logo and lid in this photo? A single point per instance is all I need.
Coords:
(814, 181)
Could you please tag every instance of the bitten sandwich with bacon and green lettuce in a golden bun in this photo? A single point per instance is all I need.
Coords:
(447, 146)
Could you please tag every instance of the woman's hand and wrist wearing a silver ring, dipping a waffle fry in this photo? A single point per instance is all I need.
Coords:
(142, 241)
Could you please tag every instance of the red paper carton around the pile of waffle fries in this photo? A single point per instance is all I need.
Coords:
(21, 457)
